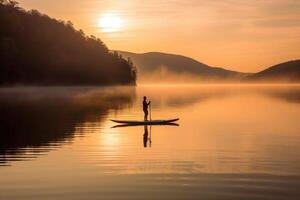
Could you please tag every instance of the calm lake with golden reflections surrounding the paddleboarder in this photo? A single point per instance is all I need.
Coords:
(232, 142)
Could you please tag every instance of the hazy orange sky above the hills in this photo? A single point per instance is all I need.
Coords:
(244, 35)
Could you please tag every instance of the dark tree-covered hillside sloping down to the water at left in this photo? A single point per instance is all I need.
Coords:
(38, 50)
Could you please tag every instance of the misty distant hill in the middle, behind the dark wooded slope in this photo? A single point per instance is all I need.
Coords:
(163, 67)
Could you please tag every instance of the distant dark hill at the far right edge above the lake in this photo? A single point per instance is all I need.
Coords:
(288, 72)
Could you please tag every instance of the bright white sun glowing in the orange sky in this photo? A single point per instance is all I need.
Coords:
(110, 22)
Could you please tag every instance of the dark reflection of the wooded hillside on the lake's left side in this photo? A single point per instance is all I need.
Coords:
(46, 117)
